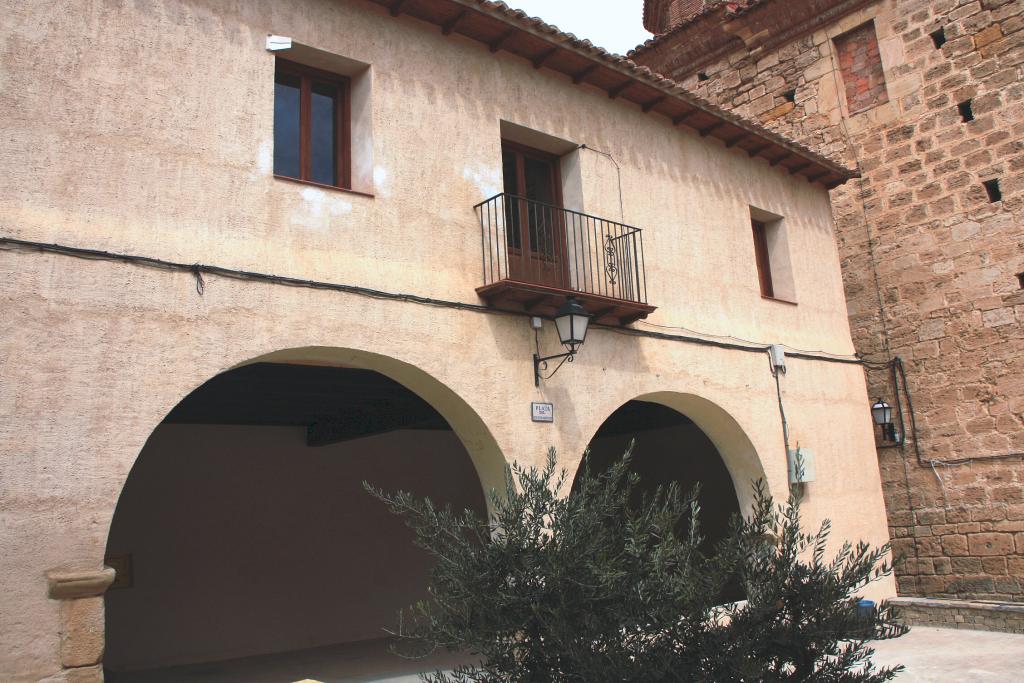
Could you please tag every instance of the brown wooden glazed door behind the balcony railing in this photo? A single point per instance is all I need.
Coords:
(535, 225)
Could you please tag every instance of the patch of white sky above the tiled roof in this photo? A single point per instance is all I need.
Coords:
(615, 25)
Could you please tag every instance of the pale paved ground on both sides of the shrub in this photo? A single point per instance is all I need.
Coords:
(945, 656)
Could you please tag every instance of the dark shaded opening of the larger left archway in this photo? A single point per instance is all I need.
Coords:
(244, 530)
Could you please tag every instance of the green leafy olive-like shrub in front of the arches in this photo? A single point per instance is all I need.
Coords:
(593, 588)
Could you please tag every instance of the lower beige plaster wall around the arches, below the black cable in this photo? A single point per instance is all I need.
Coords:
(99, 353)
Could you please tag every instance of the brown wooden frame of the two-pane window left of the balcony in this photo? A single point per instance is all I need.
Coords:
(343, 124)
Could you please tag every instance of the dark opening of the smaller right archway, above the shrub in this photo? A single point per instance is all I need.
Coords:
(670, 448)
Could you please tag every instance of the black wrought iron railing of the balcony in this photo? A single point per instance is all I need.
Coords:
(541, 244)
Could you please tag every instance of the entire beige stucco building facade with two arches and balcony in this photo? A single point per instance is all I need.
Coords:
(148, 130)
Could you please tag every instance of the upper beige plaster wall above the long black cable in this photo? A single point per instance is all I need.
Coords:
(179, 166)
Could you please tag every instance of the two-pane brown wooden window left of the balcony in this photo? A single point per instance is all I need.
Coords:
(312, 125)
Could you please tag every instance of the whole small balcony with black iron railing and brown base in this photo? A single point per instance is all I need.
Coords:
(536, 254)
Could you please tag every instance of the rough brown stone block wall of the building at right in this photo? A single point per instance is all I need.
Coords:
(932, 261)
